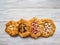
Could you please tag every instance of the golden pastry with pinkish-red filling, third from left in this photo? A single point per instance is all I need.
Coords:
(36, 28)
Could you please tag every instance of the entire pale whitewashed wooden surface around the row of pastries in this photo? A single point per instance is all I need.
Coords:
(16, 9)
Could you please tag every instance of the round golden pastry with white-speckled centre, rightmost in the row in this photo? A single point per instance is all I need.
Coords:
(48, 27)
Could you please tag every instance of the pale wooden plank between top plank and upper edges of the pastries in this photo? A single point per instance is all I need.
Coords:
(16, 14)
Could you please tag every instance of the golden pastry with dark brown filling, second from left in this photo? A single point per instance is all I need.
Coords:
(23, 28)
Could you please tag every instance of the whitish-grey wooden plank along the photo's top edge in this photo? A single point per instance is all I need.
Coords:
(4, 4)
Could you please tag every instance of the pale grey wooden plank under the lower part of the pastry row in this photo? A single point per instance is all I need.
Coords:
(5, 39)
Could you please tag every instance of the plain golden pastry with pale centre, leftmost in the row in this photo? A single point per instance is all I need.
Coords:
(11, 28)
